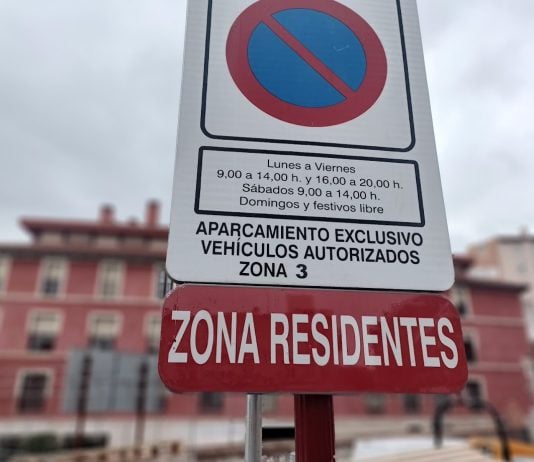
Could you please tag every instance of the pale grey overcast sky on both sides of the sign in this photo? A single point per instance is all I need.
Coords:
(89, 102)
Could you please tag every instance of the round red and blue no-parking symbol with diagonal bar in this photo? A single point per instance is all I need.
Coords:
(313, 63)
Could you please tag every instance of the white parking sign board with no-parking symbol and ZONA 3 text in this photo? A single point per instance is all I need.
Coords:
(306, 154)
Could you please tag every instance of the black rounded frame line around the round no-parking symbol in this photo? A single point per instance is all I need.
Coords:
(308, 143)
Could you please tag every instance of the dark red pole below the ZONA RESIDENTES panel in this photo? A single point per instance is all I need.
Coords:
(314, 428)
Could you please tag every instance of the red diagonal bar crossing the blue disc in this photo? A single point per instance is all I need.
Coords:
(308, 57)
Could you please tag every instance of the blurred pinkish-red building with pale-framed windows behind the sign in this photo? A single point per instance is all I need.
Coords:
(96, 288)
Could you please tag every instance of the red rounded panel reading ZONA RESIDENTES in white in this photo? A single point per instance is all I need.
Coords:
(269, 340)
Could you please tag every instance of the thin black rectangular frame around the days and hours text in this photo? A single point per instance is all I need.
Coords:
(198, 211)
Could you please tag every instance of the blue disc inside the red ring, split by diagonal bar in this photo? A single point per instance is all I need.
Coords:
(289, 77)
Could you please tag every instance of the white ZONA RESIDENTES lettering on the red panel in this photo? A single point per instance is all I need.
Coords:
(339, 340)
